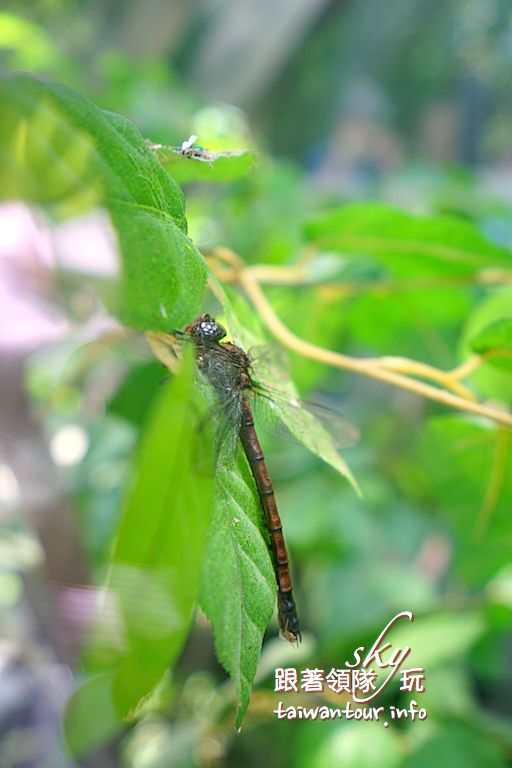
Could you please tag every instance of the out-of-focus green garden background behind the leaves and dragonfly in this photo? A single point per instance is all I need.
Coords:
(407, 102)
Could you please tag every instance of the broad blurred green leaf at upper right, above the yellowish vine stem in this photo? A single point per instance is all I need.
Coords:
(406, 245)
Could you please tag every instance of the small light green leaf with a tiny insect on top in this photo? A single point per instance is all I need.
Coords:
(223, 166)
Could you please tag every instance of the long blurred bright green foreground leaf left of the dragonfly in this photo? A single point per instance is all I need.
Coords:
(158, 553)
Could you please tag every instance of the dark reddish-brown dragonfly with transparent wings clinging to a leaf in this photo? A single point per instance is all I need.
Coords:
(228, 369)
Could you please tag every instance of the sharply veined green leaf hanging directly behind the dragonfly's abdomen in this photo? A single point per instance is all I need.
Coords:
(238, 592)
